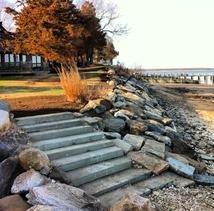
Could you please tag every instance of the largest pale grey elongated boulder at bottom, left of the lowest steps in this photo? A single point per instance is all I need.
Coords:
(62, 196)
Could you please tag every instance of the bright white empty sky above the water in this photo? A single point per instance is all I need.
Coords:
(166, 33)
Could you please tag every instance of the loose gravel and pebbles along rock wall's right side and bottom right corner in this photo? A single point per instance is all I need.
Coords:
(197, 133)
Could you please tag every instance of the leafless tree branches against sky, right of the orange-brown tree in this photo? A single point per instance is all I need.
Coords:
(107, 12)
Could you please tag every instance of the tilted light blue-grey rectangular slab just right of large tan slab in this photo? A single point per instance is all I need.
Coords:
(181, 168)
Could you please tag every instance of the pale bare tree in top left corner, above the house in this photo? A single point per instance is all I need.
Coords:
(5, 18)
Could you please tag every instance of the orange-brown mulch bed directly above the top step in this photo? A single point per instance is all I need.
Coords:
(28, 106)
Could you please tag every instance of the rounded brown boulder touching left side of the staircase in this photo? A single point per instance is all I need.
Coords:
(35, 159)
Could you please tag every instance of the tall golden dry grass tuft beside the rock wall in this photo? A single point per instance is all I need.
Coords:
(80, 90)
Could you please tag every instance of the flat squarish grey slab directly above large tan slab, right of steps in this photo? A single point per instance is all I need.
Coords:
(155, 148)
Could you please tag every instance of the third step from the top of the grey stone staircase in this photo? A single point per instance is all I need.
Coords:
(51, 134)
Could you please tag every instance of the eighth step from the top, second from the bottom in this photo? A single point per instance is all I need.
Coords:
(111, 183)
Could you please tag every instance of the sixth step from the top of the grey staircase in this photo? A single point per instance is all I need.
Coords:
(88, 158)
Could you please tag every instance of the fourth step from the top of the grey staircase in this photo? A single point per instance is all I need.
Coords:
(68, 141)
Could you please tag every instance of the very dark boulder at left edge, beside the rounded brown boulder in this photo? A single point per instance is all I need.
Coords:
(9, 170)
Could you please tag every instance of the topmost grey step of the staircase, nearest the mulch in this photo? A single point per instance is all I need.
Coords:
(31, 120)
